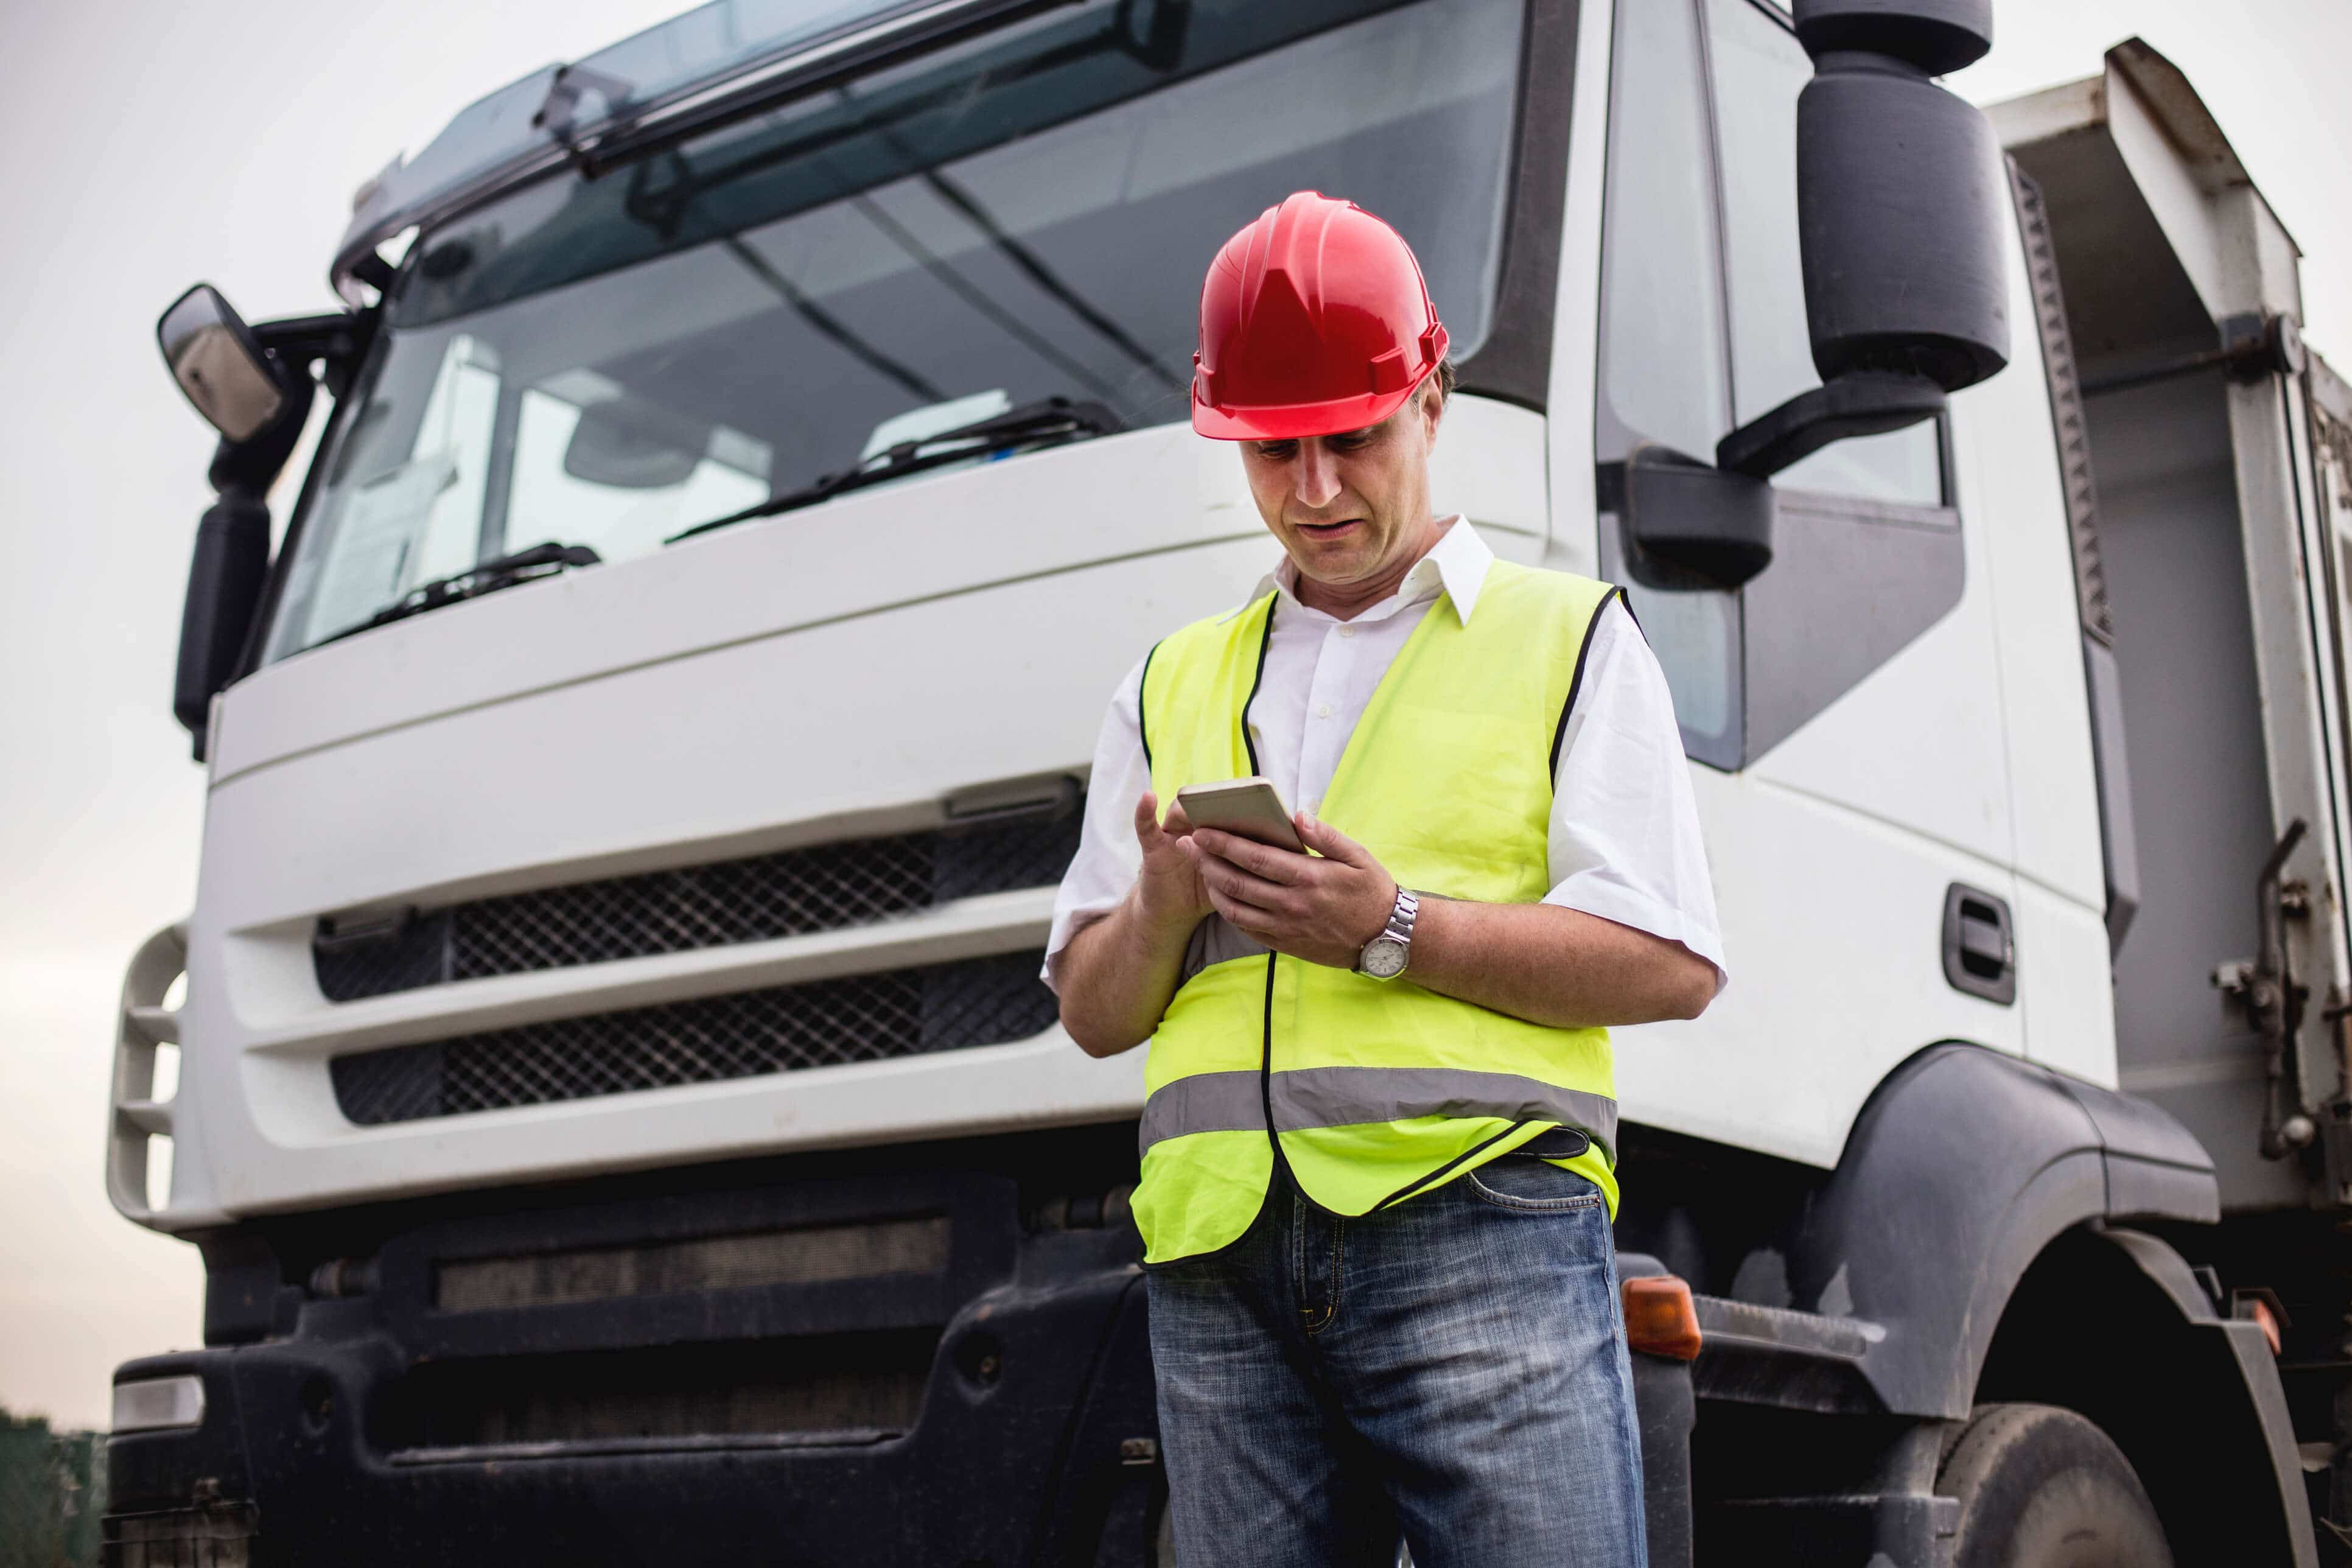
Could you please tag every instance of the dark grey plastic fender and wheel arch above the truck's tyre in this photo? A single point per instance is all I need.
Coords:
(1979, 1217)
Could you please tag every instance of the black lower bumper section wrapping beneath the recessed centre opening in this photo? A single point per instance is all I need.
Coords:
(1034, 1452)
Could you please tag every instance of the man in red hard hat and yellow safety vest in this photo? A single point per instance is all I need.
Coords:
(1379, 1139)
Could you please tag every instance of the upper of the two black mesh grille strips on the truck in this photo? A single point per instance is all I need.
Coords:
(702, 906)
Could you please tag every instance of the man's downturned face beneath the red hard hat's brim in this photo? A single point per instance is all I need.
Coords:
(1349, 507)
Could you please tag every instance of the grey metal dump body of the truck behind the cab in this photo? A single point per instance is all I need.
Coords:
(2207, 474)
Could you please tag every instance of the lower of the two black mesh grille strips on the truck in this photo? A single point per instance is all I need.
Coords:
(822, 1024)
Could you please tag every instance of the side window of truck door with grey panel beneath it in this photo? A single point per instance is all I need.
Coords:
(1702, 328)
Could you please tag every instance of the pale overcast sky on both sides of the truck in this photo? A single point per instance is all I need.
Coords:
(156, 145)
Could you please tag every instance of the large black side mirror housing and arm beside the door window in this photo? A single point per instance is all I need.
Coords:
(1899, 215)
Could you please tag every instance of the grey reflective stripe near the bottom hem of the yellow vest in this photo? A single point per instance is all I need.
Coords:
(1349, 1097)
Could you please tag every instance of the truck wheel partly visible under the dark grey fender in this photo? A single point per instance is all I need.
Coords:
(2045, 1489)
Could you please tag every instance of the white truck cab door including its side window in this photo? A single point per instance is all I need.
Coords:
(1845, 709)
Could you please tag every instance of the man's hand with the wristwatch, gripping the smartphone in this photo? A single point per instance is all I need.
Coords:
(1311, 906)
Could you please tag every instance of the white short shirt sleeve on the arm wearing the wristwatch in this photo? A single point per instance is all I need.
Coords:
(1624, 833)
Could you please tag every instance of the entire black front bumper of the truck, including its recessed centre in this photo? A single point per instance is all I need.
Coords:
(928, 1372)
